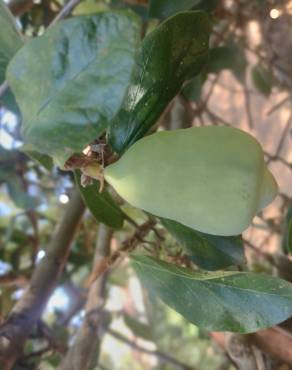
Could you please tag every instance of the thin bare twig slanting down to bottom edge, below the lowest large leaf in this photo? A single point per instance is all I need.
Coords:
(162, 356)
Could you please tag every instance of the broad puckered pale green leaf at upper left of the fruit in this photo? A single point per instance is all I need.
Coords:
(71, 81)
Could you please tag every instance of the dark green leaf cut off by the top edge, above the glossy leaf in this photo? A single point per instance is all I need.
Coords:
(166, 8)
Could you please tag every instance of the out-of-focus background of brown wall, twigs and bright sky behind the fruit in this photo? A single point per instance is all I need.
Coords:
(247, 85)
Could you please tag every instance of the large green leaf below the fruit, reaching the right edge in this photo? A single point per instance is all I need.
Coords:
(221, 301)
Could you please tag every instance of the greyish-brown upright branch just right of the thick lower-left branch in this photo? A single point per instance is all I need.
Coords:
(85, 349)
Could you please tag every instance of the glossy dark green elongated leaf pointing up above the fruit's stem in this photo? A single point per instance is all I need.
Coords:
(171, 54)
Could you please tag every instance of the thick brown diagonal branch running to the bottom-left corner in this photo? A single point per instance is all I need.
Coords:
(28, 310)
